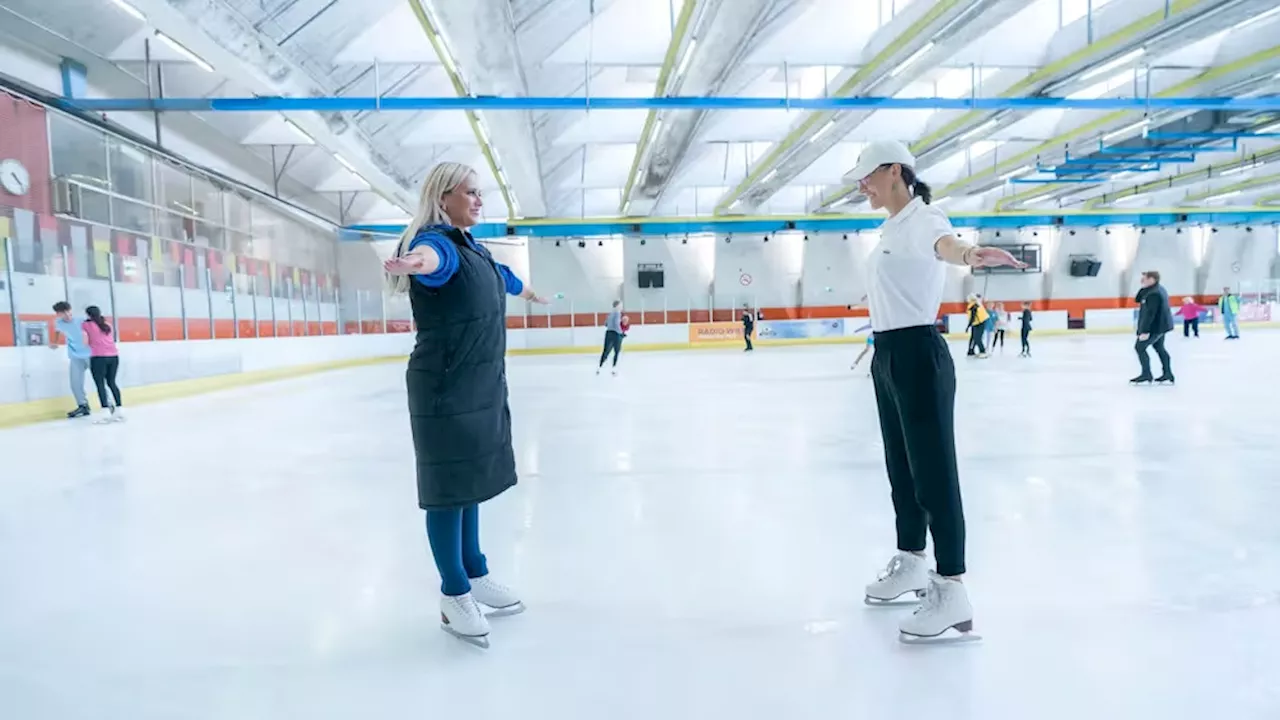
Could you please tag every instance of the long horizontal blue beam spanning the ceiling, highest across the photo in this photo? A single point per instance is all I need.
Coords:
(676, 103)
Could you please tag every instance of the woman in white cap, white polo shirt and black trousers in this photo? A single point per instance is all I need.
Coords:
(916, 389)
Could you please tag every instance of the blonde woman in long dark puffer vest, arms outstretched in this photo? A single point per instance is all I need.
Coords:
(458, 390)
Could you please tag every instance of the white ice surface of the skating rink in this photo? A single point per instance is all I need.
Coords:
(692, 539)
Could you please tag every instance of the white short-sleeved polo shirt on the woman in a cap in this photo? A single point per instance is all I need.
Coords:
(906, 276)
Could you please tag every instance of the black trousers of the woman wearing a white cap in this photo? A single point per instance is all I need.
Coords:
(916, 394)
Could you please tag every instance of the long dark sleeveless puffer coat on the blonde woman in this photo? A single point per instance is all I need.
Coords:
(458, 385)
